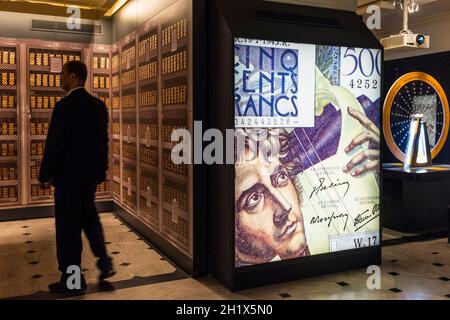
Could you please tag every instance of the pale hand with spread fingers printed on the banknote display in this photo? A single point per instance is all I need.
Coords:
(372, 155)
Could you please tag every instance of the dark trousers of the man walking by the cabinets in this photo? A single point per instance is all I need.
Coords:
(75, 212)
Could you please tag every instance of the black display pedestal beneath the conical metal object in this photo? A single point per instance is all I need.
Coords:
(417, 199)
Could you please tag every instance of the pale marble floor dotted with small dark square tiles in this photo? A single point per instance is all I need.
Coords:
(412, 270)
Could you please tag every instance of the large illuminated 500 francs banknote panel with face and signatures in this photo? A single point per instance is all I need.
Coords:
(307, 150)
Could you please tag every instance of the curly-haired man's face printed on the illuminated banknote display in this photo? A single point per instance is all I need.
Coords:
(269, 222)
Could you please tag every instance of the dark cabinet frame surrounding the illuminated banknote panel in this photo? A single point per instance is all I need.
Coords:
(273, 22)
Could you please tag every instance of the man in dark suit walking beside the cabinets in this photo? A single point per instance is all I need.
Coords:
(75, 162)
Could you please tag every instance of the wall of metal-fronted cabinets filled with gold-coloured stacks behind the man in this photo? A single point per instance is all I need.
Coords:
(144, 79)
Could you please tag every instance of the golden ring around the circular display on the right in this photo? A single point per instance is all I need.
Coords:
(401, 83)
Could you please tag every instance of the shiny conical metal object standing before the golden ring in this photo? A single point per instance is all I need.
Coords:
(418, 153)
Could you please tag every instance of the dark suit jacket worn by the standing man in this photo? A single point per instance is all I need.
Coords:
(76, 151)
